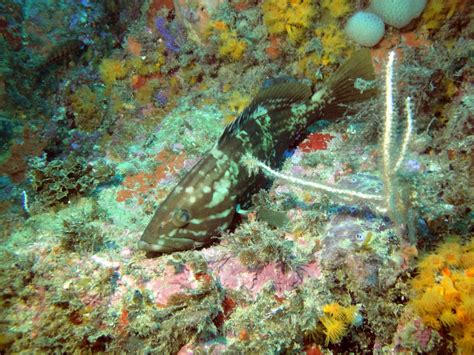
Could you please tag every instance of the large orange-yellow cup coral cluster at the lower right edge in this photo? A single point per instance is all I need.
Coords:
(443, 292)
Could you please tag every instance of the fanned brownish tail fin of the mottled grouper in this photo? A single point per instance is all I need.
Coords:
(342, 88)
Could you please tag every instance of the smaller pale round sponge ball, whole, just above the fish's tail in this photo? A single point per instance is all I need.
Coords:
(365, 28)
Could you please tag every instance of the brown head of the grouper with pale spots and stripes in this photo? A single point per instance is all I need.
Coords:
(195, 211)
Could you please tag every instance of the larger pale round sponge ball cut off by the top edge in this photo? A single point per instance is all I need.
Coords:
(397, 13)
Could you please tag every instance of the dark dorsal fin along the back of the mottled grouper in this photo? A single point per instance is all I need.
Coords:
(274, 98)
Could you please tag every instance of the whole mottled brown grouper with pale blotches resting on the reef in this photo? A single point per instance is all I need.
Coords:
(204, 202)
